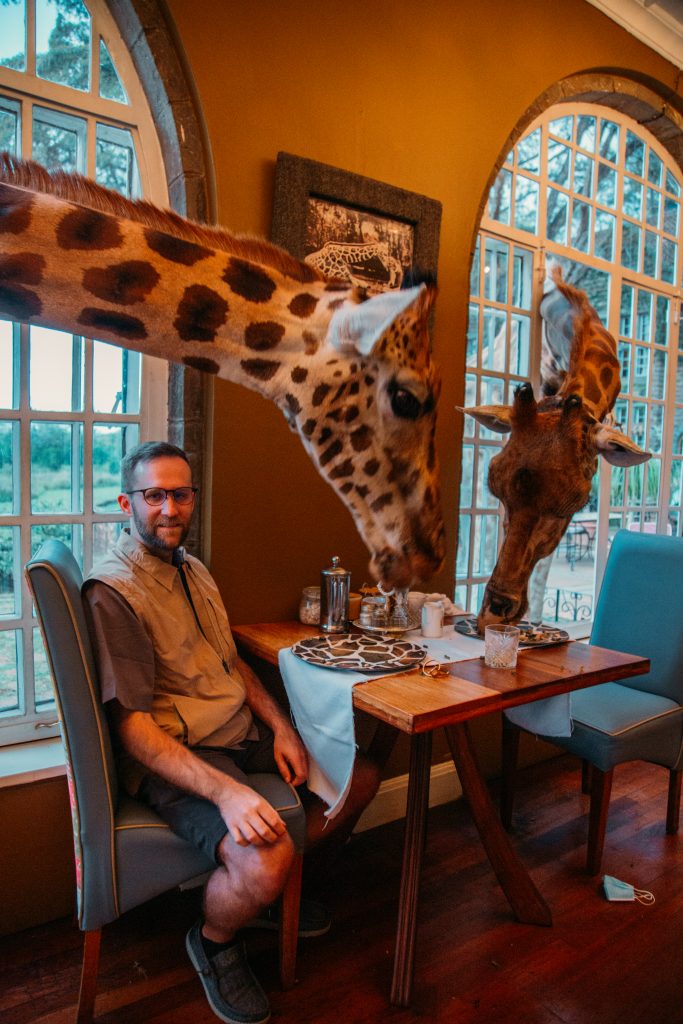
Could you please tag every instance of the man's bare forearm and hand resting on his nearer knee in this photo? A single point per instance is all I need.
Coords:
(249, 818)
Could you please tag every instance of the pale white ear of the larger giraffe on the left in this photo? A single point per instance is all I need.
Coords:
(360, 326)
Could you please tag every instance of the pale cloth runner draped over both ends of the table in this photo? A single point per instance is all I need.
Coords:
(323, 709)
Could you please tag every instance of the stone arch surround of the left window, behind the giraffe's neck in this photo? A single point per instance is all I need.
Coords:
(159, 60)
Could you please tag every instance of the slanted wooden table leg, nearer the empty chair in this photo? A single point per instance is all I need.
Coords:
(526, 901)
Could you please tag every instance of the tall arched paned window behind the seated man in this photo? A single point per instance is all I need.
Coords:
(70, 407)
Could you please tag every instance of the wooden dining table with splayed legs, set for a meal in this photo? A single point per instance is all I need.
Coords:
(417, 705)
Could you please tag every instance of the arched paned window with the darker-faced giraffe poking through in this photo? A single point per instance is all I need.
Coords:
(589, 189)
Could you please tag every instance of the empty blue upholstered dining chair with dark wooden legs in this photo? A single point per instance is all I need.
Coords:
(641, 612)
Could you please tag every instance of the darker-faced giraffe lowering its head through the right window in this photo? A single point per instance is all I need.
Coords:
(543, 475)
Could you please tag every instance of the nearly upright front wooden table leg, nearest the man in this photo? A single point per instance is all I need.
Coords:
(414, 842)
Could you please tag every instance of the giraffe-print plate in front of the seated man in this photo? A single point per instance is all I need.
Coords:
(348, 652)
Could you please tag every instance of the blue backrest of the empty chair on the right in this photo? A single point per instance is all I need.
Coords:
(641, 609)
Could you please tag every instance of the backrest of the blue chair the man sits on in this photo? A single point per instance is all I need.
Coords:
(55, 580)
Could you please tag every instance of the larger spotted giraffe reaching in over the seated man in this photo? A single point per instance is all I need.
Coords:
(353, 374)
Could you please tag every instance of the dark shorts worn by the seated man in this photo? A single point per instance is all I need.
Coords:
(199, 821)
